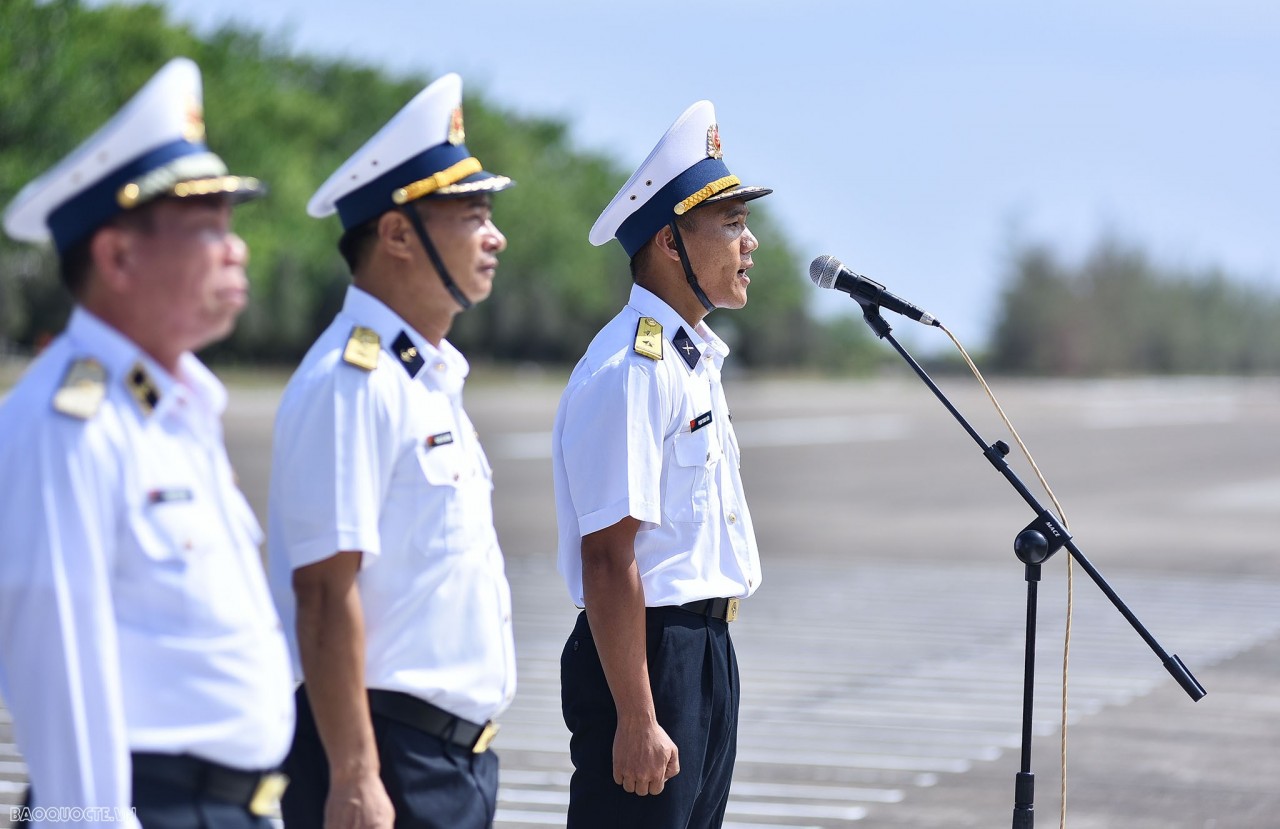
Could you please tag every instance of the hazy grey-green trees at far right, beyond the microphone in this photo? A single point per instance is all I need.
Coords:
(1119, 313)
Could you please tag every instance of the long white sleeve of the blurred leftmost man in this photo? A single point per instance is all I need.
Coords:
(60, 659)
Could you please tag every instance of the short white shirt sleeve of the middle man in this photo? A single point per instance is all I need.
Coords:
(333, 456)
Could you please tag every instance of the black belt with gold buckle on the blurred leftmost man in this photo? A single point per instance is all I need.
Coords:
(259, 793)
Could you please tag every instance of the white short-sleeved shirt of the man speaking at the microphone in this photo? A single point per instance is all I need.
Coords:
(633, 438)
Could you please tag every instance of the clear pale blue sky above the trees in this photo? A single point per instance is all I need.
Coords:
(915, 141)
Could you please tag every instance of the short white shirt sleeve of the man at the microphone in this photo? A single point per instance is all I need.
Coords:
(612, 446)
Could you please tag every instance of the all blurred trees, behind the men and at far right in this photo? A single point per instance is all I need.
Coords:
(290, 120)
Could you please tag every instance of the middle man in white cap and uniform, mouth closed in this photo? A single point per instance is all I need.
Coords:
(383, 551)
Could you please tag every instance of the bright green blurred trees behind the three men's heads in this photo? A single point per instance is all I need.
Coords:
(291, 121)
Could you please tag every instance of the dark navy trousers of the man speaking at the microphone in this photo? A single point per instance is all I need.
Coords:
(693, 672)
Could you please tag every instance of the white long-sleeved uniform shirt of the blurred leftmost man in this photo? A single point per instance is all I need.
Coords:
(134, 610)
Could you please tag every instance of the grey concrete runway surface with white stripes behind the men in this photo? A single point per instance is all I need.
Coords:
(883, 658)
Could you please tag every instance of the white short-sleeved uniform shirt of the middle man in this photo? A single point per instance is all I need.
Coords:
(387, 462)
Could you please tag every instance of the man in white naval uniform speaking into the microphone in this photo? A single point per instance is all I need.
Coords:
(656, 539)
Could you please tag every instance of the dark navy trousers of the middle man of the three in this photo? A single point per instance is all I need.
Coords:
(432, 784)
